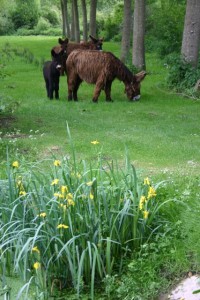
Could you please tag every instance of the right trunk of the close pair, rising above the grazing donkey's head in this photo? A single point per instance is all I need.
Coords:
(138, 35)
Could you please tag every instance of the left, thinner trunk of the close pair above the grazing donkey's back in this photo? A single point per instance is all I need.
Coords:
(126, 34)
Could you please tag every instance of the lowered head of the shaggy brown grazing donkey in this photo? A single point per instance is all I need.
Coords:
(132, 88)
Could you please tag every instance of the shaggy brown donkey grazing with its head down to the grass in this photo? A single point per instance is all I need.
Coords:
(100, 68)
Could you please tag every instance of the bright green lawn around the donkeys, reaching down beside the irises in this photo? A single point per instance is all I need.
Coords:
(160, 133)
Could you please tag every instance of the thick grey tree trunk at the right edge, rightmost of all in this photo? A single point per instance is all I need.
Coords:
(191, 32)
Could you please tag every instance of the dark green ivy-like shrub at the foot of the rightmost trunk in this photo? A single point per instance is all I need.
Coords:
(182, 75)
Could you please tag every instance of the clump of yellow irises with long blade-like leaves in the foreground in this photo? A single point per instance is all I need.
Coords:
(77, 224)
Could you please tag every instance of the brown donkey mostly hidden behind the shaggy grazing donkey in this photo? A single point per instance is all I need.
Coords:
(93, 44)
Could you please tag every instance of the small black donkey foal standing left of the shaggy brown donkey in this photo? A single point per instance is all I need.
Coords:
(51, 73)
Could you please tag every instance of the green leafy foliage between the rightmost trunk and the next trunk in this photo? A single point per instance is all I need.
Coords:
(165, 27)
